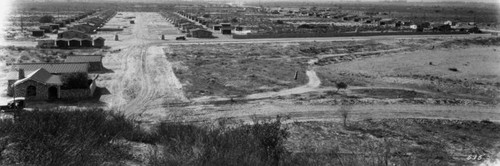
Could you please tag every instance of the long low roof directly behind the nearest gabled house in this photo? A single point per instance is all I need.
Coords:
(55, 68)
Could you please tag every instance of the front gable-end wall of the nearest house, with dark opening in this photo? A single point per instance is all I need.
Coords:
(42, 91)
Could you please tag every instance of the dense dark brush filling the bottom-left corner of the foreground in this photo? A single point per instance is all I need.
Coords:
(63, 137)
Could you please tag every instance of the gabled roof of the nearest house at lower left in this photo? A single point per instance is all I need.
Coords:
(41, 76)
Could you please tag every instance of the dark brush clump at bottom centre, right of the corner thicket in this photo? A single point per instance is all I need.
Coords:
(258, 144)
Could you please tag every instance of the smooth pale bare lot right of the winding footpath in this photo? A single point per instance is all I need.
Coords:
(476, 76)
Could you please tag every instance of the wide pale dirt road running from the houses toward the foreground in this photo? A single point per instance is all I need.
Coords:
(144, 79)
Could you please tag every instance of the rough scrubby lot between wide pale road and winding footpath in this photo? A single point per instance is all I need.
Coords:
(243, 69)
